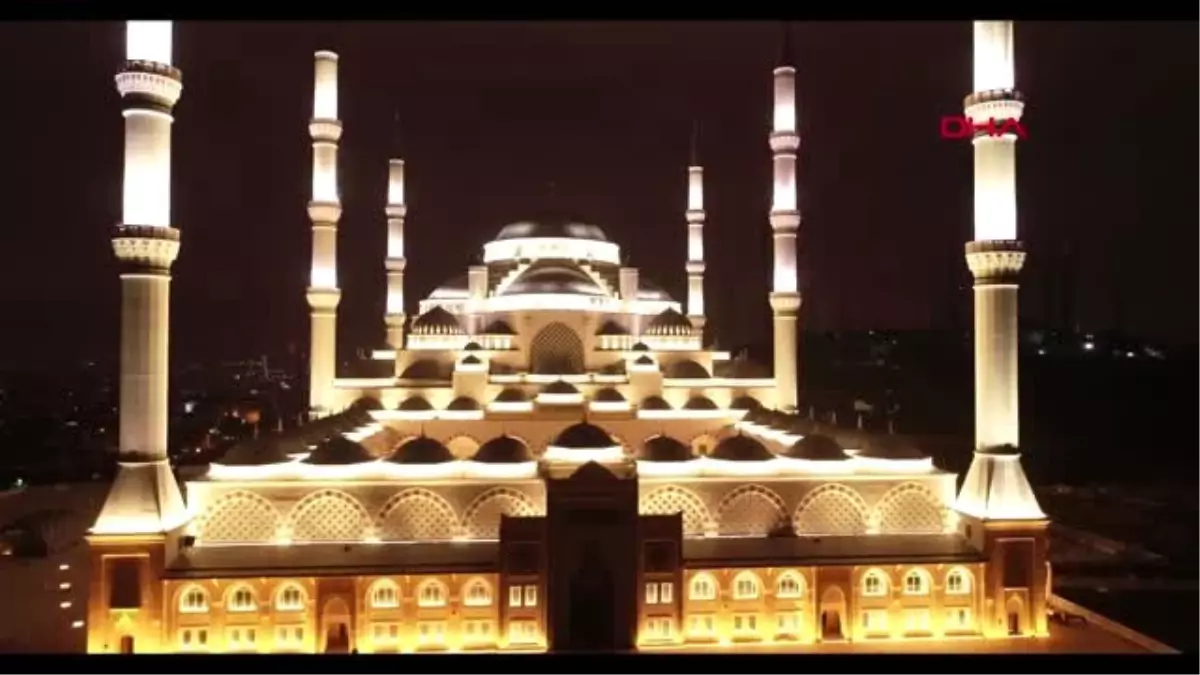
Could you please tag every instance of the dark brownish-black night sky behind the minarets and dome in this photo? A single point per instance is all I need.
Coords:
(491, 114)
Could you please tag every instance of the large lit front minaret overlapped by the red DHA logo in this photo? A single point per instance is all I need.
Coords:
(997, 487)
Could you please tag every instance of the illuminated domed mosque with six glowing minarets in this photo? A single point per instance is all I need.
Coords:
(559, 462)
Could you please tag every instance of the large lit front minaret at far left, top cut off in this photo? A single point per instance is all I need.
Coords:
(145, 499)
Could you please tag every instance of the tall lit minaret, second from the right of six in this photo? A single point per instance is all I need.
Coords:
(785, 222)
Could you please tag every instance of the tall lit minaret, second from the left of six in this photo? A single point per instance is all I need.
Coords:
(325, 211)
